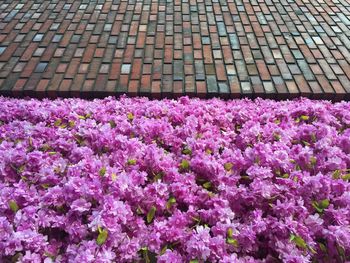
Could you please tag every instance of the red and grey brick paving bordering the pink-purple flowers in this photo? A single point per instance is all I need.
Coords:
(277, 49)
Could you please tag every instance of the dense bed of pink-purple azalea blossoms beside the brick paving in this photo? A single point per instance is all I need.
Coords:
(191, 180)
